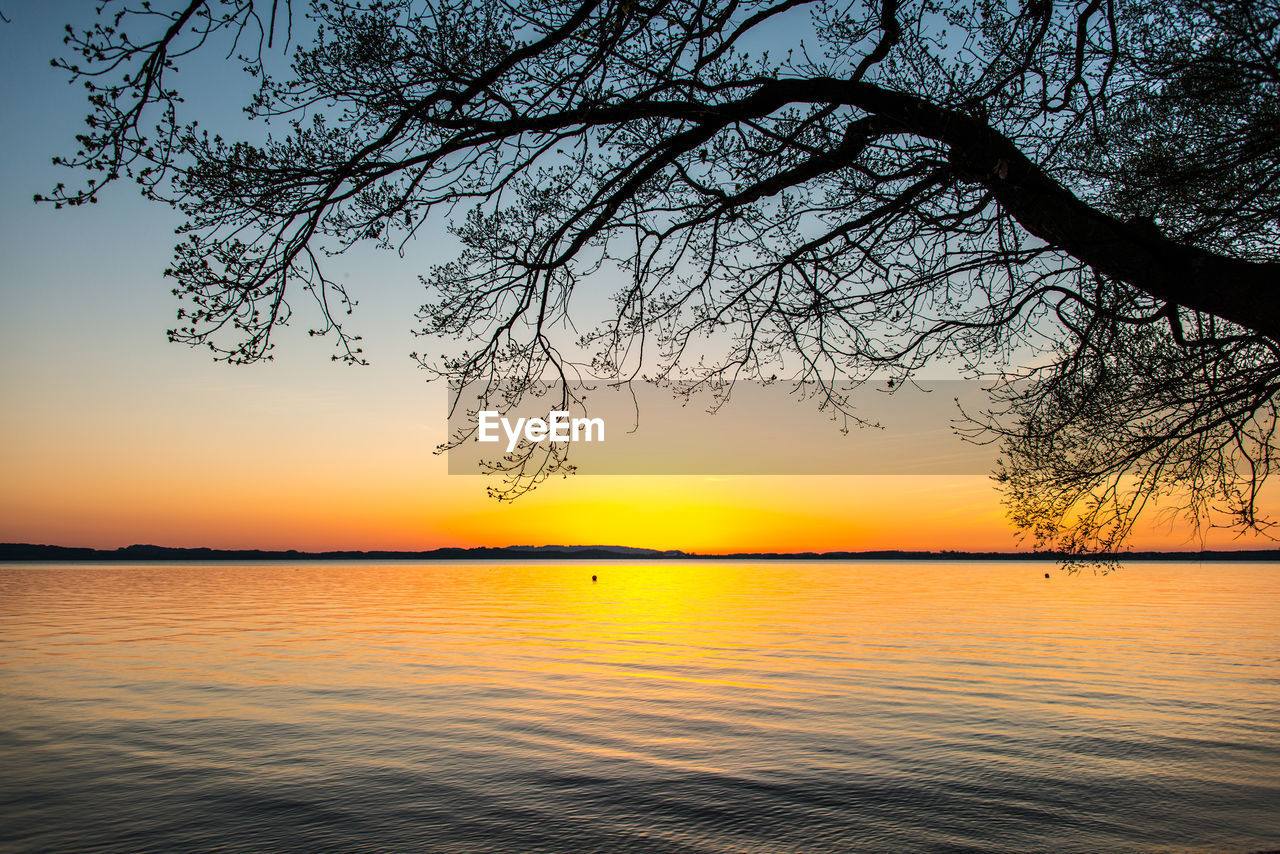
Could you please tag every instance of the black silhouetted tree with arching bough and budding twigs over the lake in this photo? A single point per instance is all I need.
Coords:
(1090, 189)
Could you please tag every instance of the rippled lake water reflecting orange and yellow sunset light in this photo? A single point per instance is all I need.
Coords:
(670, 707)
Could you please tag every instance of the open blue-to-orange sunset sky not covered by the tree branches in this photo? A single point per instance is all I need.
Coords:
(112, 436)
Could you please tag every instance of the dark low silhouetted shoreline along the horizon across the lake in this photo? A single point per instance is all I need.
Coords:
(36, 554)
